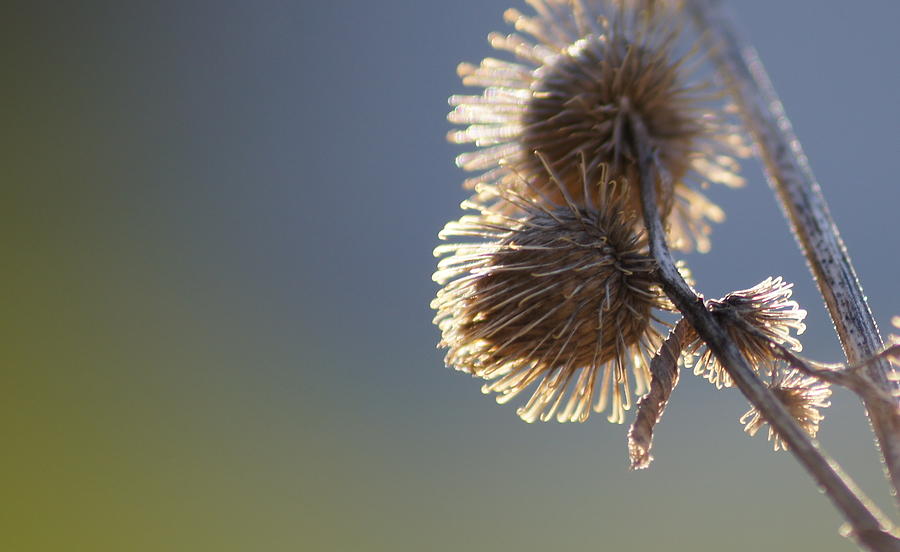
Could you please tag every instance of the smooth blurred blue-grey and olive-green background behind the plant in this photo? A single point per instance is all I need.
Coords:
(217, 223)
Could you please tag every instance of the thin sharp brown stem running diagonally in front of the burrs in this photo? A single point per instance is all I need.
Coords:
(868, 526)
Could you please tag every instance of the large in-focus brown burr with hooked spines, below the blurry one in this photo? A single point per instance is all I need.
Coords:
(561, 296)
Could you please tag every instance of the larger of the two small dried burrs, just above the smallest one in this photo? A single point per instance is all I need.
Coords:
(753, 318)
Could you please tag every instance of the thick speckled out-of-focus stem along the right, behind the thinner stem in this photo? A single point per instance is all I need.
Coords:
(801, 198)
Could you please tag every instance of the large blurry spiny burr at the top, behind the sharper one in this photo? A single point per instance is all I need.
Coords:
(575, 90)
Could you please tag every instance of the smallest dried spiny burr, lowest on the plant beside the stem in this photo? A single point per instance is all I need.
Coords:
(802, 395)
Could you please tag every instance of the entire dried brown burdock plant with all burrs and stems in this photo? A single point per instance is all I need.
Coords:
(600, 128)
